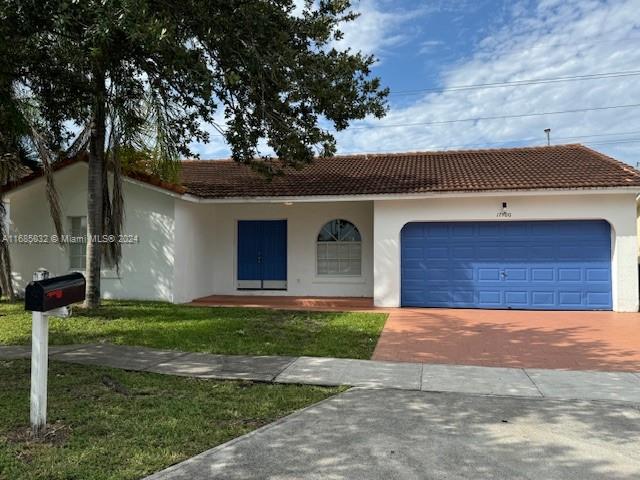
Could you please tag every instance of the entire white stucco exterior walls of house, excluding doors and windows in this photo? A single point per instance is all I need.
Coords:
(188, 250)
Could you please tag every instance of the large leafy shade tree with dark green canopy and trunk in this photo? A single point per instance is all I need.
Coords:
(151, 76)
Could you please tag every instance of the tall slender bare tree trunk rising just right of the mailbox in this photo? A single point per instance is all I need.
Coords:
(94, 193)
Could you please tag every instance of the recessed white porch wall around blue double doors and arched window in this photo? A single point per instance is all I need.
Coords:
(214, 249)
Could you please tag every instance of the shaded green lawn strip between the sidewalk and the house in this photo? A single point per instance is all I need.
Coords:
(231, 331)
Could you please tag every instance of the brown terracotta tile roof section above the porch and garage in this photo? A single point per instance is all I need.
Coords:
(562, 166)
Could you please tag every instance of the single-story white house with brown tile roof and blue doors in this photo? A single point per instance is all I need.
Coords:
(524, 228)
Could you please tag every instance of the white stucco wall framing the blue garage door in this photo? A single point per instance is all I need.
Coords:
(618, 209)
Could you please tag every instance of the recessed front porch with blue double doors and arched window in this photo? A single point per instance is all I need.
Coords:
(273, 250)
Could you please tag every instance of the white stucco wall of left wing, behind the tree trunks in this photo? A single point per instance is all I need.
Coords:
(147, 267)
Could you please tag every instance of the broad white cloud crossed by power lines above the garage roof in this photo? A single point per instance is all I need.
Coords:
(558, 38)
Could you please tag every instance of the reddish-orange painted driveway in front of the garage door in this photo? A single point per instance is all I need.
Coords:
(507, 338)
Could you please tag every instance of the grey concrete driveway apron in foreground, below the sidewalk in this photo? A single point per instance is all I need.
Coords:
(394, 434)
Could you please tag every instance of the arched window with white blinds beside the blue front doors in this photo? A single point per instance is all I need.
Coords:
(338, 249)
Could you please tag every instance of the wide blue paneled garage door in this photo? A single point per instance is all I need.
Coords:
(555, 265)
